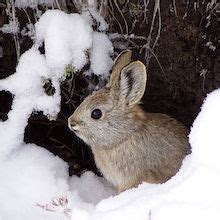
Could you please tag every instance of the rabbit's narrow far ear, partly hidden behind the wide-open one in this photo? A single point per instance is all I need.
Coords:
(122, 60)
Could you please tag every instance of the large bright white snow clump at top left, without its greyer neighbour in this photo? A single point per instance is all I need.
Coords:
(66, 38)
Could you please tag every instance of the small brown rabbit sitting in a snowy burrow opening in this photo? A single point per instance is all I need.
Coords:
(129, 145)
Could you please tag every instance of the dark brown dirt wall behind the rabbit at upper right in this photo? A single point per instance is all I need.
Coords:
(179, 90)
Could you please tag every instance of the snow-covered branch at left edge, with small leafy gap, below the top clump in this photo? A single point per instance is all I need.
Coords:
(26, 86)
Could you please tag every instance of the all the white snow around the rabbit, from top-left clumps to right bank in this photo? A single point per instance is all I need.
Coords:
(35, 184)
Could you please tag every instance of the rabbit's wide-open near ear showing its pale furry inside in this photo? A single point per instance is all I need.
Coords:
(132, 83)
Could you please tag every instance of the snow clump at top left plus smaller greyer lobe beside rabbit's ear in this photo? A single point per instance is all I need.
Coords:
(69, 40)
